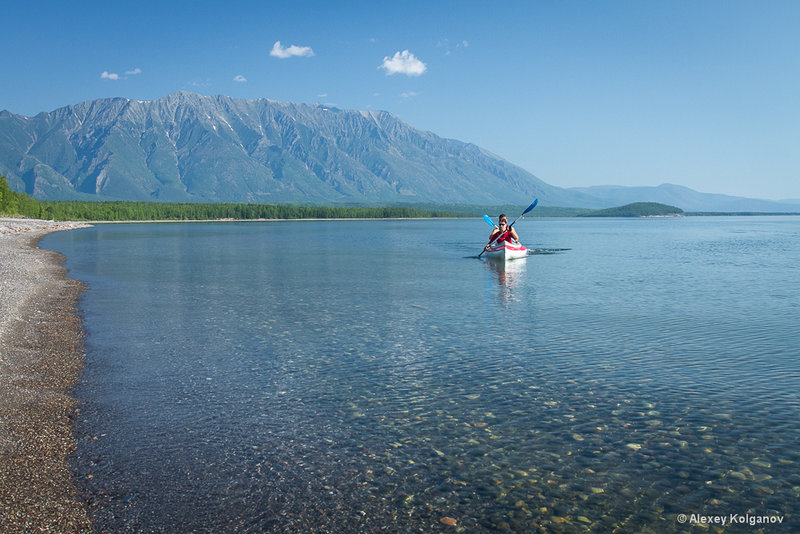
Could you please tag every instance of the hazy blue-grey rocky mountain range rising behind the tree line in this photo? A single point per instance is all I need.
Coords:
(191, 148)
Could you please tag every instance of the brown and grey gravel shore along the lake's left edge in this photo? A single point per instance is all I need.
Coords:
(41, 353)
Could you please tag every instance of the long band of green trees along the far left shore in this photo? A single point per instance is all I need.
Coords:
(13, 203)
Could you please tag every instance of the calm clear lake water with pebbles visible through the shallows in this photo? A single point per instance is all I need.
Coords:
(364, 376)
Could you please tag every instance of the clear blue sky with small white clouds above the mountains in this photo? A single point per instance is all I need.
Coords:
(704, 94)
